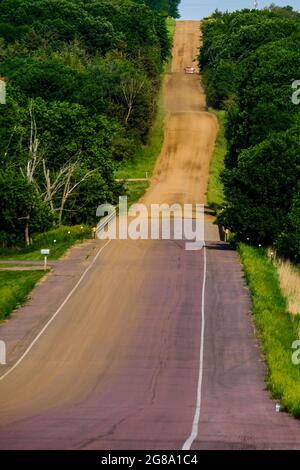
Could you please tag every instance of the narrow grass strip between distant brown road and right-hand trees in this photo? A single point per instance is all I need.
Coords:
(215, 194)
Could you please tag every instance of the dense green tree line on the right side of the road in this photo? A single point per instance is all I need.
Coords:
(250, 61)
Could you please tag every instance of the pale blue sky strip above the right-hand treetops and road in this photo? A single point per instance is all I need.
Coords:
(197, 9)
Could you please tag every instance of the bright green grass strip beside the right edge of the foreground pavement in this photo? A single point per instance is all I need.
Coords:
(277, 329)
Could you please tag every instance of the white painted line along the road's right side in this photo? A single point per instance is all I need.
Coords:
(195, 427)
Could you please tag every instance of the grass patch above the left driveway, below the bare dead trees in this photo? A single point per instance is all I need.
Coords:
(65, 237)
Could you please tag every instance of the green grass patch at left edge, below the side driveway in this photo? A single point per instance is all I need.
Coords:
(14, 289)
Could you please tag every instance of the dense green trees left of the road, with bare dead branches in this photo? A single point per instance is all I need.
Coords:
(82, 78)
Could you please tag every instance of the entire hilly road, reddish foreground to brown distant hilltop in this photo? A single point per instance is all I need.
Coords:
(149, 329)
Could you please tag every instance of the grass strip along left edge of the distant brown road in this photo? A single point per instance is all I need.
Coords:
(143, 164)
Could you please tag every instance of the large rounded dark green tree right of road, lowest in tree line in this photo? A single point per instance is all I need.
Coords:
(260, 189)
